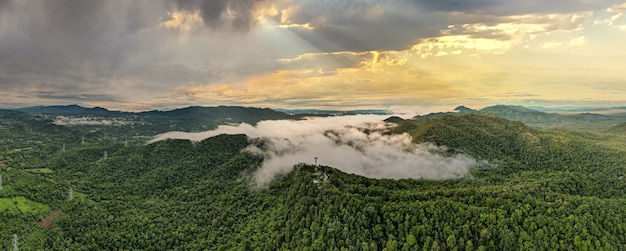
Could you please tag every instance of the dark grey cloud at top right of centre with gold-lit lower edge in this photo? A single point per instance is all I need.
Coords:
(400, 24)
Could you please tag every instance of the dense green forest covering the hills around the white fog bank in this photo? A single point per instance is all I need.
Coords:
(538, 188)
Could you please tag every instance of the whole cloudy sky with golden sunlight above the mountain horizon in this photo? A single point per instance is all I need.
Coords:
(317, 54)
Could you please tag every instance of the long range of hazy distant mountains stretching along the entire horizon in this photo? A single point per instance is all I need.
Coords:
(197, 118)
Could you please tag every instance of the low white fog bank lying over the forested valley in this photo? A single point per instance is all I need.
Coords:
(353, 144)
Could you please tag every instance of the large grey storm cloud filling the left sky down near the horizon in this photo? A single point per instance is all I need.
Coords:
(129, 50)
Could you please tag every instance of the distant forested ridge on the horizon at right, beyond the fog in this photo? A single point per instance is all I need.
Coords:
(538, 119)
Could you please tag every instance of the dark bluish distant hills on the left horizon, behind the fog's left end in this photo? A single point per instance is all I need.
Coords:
(193, 118)
